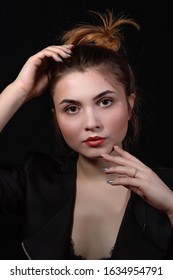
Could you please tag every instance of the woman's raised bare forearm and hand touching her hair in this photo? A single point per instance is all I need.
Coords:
(31, 82)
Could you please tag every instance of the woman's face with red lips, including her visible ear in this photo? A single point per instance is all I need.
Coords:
(92, 112)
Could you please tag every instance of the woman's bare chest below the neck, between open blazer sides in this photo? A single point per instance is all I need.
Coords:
(97, 218)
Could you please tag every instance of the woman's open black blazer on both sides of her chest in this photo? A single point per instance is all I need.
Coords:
(42, 192)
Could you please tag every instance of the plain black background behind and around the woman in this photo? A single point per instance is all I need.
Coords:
(28, 26)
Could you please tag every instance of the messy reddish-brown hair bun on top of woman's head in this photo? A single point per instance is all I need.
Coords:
(107, 34)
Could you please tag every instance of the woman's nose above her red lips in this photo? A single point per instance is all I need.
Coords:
(92, 120)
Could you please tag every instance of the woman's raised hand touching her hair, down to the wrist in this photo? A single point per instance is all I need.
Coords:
(34, 76)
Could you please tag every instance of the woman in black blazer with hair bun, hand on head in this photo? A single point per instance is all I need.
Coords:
(97, 201)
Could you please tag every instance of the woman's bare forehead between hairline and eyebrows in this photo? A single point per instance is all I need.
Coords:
(89, 83)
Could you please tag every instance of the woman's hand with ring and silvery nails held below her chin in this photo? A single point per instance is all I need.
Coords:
(134, 175)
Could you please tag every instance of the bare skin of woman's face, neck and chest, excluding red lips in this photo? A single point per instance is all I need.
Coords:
(89, 104)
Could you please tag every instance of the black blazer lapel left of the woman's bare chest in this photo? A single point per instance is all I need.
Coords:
(52, 240)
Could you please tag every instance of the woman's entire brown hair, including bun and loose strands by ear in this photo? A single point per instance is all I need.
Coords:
(100, 47)
